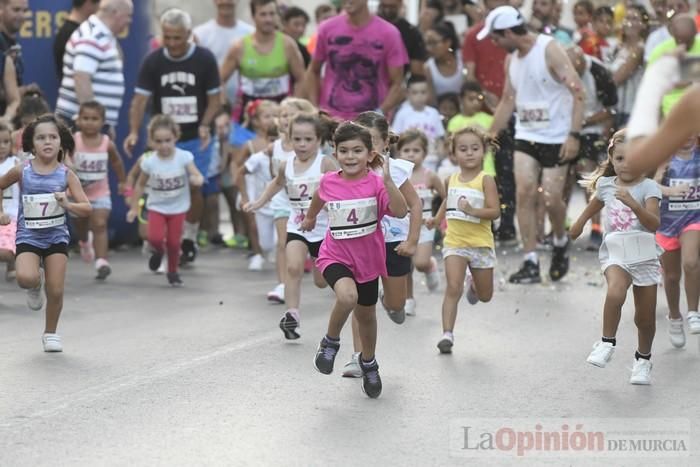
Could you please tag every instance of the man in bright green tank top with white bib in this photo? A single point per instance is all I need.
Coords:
(268, 60)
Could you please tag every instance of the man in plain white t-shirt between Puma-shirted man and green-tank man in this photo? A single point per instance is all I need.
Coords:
(219, 33)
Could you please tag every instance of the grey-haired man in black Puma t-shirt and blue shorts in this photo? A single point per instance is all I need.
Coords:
(182, 80)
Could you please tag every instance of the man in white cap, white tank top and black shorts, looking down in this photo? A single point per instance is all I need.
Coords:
(545, 91)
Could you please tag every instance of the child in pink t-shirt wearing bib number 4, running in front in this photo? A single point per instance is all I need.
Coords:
(353, 256)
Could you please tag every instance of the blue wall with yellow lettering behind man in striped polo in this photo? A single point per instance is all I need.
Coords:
(36, 38)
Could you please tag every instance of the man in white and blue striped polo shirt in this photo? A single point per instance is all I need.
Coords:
(92, 63)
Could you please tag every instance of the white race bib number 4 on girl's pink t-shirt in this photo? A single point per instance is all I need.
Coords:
(353, 218)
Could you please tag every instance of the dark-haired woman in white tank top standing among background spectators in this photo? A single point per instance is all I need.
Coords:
(444, 68)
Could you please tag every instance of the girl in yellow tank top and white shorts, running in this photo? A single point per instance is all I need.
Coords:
(471, 204)
